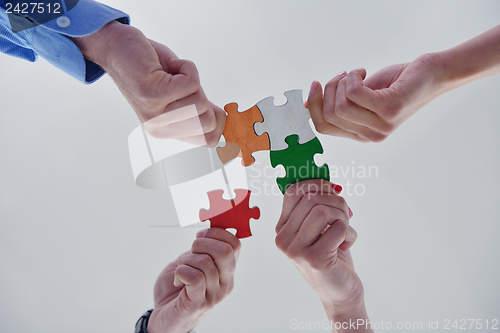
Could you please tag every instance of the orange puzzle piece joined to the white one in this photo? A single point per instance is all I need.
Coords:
(240, 131)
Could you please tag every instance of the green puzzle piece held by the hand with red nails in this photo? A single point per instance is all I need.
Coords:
(298, 160)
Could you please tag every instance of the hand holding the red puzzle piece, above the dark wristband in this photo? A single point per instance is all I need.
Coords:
(190, 287)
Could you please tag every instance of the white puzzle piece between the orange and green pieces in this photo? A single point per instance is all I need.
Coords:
(282, 121)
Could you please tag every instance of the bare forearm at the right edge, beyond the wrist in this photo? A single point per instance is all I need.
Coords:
(475, 59)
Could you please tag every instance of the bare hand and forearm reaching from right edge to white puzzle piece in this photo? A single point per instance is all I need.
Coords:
(373, 108)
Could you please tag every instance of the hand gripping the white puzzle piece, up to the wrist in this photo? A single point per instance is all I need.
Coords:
(372, 109)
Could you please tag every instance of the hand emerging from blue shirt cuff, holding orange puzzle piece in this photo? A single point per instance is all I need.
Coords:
(155, 83)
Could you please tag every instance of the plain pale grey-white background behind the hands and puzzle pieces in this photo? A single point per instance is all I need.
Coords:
(77, 250)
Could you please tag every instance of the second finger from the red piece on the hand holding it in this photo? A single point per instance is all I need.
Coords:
(223, 257)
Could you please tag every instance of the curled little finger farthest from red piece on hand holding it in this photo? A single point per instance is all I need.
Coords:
(194, 281)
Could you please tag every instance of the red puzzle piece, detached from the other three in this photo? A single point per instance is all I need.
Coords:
(230, 213)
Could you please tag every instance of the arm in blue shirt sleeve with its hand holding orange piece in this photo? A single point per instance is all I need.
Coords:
(149, 74)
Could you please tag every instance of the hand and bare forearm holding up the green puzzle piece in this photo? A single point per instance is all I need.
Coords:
(314, 233)
